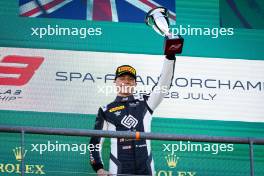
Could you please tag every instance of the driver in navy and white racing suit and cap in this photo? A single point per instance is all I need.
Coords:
(130, 113)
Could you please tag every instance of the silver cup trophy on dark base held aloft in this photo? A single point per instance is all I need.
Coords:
(158, 19)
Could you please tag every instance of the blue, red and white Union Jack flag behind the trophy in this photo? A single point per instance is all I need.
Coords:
(96, 10)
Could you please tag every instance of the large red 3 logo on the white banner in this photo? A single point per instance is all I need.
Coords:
(25, 73)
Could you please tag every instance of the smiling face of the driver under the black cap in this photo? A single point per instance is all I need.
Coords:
(125, 85)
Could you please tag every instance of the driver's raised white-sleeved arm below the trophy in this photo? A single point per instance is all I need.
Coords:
(164, 83)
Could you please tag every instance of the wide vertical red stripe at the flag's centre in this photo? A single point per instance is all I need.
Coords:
(102, 10)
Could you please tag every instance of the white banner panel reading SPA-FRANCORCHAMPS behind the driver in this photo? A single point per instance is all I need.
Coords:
(79, 82)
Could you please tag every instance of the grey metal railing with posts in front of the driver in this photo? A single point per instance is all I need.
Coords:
(131, 135)
